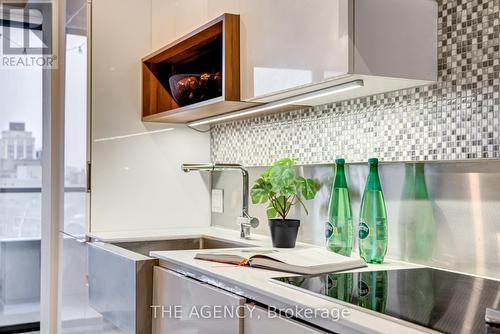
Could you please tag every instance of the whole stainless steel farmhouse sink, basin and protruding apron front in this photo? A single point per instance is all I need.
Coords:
(121, 277)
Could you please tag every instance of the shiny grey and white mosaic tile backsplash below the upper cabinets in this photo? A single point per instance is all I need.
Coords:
(457, 118)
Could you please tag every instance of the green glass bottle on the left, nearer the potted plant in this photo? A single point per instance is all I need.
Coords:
(339, 235)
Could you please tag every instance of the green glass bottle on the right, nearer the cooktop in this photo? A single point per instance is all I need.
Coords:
(373, 219)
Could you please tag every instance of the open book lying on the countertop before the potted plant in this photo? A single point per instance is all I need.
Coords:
(307, 261)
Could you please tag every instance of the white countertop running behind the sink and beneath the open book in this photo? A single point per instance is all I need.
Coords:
(255, 283)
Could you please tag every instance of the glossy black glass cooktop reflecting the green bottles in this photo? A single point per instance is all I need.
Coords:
(436, 299)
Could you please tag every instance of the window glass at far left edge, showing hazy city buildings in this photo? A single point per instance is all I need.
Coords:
(20, 193)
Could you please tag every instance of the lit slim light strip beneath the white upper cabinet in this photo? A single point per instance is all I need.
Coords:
(282, 103)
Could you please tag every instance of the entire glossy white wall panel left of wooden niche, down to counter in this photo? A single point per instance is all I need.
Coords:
(137, 182)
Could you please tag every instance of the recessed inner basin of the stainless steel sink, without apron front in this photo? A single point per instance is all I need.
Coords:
(145, 247)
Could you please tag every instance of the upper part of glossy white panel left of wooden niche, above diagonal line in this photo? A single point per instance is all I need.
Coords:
(121, 36)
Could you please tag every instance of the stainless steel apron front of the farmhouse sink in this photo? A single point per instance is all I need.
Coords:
(120, 286)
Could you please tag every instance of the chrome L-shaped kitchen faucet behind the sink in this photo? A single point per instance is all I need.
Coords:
(245, 220)
